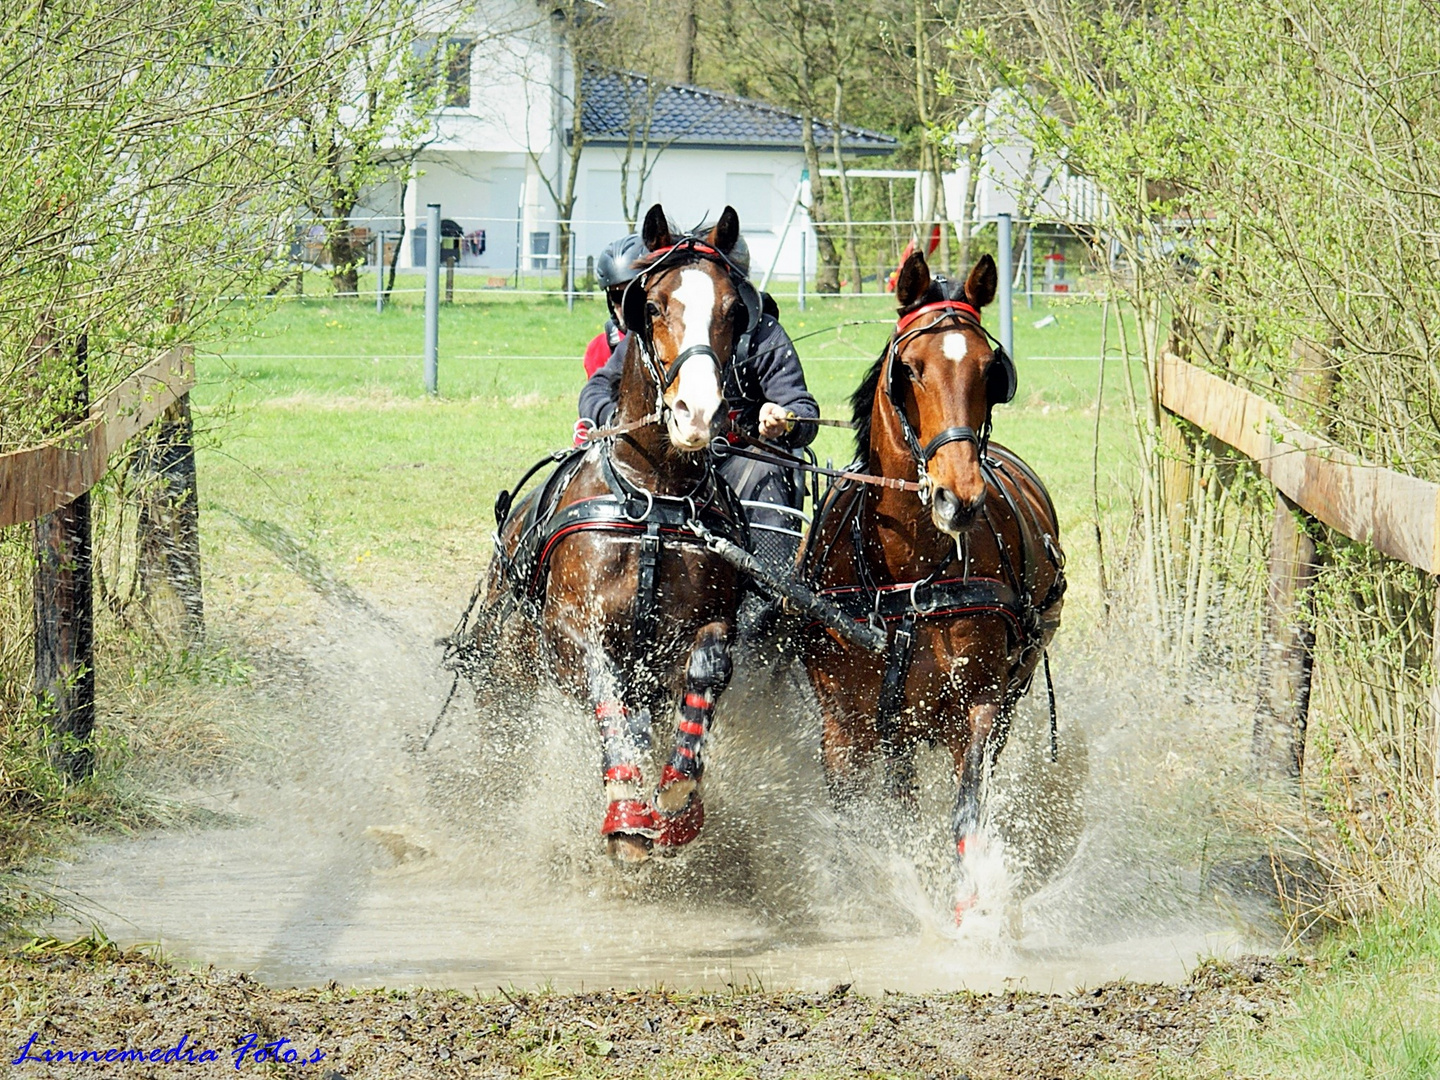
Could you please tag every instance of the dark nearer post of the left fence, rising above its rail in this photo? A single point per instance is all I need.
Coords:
(64, 611)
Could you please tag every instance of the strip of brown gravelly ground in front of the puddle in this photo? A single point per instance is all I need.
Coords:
(110, 1003)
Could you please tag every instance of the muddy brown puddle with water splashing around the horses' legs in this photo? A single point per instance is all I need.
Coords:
(348, 853)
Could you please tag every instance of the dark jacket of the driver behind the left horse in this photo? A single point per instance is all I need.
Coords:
(765, 369)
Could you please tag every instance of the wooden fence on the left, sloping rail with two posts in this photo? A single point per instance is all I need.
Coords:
(50, 486)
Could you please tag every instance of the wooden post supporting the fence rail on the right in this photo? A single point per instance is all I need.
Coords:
(1288, 649)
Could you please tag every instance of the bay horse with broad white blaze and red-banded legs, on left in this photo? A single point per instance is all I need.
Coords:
(634, 614)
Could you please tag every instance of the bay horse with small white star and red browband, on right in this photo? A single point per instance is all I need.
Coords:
(963, 568)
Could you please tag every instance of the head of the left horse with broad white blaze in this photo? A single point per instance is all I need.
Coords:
(688, 307)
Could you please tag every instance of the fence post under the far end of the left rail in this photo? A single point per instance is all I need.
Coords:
(171, 519)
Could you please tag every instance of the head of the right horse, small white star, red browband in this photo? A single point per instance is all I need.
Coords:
(944, 378)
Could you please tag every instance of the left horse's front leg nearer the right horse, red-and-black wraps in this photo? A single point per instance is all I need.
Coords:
(678, 800)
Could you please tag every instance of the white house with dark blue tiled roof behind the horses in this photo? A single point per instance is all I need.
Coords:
(508, 126)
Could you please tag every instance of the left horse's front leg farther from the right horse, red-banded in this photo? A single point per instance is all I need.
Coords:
(630, 824)
